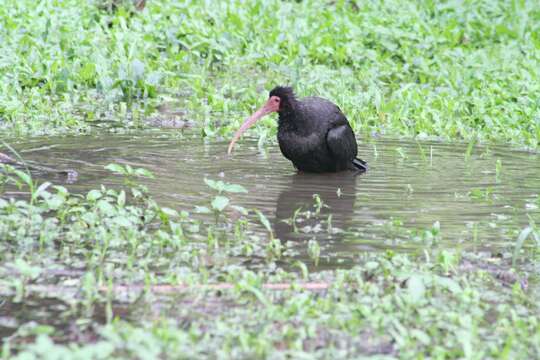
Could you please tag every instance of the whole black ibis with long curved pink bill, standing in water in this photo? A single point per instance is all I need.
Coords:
(313, 133)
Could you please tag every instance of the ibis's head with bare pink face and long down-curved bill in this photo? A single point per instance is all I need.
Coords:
(281, 99)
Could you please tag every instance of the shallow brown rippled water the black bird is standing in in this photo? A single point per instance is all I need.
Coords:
(414, 194)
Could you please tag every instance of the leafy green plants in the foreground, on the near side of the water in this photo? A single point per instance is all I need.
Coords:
(64, 256)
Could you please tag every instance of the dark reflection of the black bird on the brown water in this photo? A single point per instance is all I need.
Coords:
(300, 214)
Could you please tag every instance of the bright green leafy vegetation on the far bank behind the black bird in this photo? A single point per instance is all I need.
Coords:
(456, 69)
